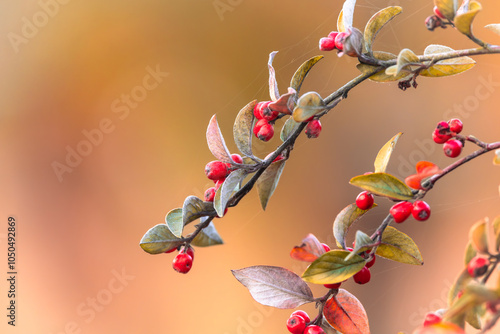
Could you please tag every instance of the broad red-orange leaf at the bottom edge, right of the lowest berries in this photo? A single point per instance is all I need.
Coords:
(346, 314)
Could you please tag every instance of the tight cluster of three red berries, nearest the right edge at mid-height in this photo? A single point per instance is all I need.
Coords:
(444, 133)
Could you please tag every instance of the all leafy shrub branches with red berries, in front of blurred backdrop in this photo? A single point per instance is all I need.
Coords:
(236, 174)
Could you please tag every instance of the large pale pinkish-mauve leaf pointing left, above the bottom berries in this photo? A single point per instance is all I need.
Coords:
(274, 286)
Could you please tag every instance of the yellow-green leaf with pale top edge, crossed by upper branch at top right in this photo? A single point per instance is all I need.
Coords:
(448, 66)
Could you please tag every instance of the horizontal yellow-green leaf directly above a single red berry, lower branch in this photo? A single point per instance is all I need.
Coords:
(383, 184)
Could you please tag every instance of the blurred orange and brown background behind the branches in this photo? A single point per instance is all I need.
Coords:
(78, 232)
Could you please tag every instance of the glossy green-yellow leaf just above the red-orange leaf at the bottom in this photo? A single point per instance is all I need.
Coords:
(332, 267)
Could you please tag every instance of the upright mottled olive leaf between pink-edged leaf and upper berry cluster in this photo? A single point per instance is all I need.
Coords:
(242, 129)
